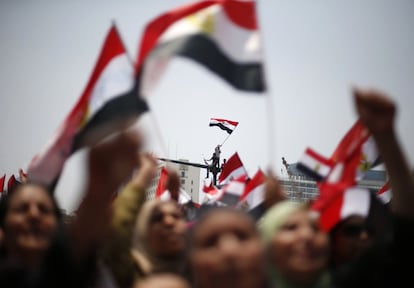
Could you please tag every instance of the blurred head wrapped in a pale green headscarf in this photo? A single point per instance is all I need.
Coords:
(297, 249)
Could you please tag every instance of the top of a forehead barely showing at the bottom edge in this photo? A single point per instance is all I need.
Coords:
(162, 280)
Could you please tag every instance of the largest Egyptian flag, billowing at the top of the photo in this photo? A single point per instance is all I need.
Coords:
(223, 36)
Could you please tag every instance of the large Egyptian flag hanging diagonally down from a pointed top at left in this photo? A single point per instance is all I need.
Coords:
(109, 103)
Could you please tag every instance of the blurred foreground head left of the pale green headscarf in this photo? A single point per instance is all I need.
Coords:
(226, 250)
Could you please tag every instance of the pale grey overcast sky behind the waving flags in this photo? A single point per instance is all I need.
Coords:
(315, 52)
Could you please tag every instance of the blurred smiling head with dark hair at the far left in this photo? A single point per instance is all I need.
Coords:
(29, 218)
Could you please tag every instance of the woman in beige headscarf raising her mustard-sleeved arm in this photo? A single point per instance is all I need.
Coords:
(147, 236)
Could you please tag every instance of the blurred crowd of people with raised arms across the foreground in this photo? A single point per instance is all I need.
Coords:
(133, 242)
